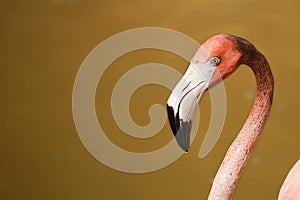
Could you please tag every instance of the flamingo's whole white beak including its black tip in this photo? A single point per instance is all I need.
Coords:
(185, 98)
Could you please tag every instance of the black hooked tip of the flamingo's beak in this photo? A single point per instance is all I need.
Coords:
(180, 128)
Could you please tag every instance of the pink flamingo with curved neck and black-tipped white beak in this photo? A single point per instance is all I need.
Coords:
(216, 59)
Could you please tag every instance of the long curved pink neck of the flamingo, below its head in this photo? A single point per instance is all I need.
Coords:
(240, 150)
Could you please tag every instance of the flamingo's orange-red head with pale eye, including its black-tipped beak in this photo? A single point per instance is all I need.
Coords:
(215, 60)
